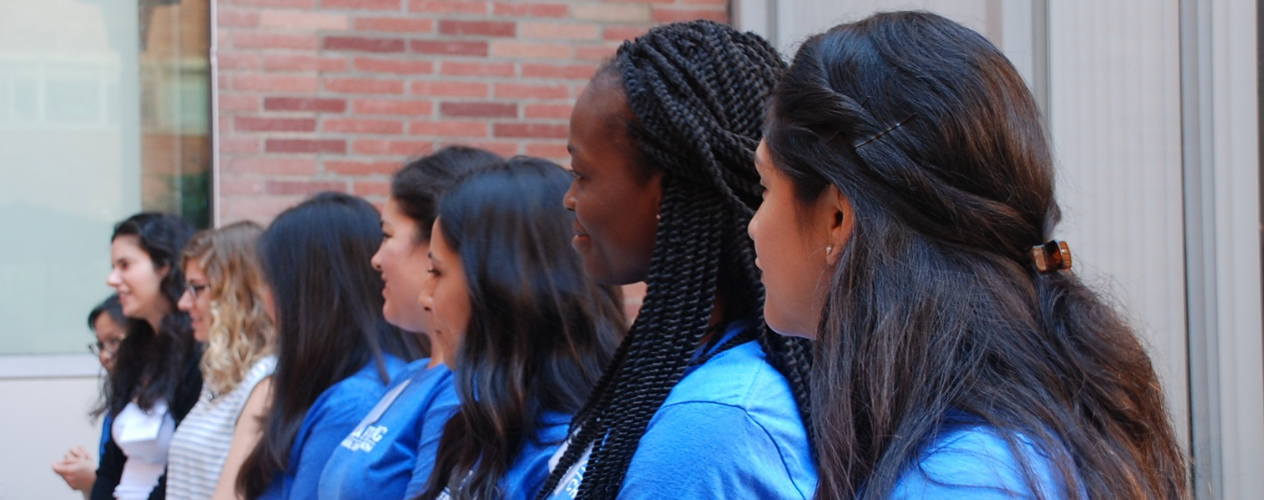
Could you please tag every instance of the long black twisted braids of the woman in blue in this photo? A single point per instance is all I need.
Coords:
(697, 92)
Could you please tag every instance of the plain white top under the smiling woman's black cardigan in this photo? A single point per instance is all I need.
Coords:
(145, 439)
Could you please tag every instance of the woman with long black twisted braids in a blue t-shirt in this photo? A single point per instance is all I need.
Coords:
(701, 401)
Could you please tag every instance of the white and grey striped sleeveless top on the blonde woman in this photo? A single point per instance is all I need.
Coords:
(202, 444)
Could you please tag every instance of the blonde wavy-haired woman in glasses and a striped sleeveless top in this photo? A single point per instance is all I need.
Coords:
(227, 301)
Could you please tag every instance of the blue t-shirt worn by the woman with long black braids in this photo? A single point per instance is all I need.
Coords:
(731, 429)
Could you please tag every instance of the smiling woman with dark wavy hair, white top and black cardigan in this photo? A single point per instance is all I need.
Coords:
(156, 381)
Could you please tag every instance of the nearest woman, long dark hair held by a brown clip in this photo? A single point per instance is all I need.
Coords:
(908, 229)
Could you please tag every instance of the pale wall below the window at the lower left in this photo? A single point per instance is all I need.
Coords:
(42, 419)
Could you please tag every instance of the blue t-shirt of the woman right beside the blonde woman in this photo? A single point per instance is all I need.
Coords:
(331, 419)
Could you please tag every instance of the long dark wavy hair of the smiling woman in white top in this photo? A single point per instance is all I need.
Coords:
(150, 364)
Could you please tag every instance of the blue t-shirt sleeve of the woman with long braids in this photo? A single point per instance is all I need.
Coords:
(708, 451)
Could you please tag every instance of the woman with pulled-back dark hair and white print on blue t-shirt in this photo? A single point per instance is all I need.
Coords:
(391, 453)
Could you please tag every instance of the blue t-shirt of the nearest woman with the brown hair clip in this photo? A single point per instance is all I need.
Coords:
(971, 460)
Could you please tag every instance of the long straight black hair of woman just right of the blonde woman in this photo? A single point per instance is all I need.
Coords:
(328, 302)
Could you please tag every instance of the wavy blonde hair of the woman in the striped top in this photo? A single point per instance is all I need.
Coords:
(241, 331)
